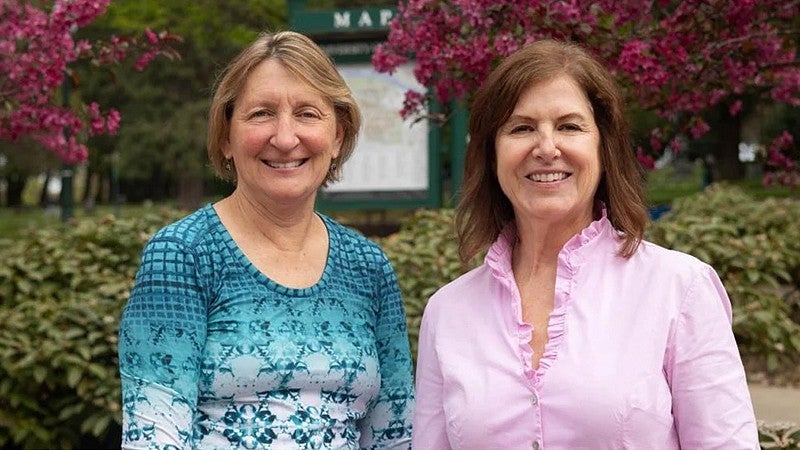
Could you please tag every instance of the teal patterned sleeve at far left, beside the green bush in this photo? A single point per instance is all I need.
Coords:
(162, 334)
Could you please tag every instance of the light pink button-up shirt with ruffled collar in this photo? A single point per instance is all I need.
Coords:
(640, 355)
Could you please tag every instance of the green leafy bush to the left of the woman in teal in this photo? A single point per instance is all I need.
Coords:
(62, 290)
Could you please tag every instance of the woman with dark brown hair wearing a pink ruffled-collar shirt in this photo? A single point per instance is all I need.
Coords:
(575, 332)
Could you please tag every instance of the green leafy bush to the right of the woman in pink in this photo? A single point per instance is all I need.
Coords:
(755, 248)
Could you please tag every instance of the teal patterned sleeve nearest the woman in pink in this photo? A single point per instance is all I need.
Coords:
(388, 421)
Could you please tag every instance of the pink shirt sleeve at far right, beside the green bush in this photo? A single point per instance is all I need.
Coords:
(711, 401)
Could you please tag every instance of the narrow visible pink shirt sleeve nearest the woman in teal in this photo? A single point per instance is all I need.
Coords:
(430, 425)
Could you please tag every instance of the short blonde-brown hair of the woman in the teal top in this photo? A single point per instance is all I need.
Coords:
(304, 59)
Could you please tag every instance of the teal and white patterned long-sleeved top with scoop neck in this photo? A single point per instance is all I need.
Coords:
(214, 354)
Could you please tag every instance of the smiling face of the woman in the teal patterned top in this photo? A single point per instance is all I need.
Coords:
(283, 136)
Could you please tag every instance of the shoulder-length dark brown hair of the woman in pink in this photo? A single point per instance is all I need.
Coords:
(484, 210)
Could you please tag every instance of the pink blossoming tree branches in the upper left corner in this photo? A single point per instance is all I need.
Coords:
(36, 51)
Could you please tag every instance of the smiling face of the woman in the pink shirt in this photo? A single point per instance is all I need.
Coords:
(548, 155)
